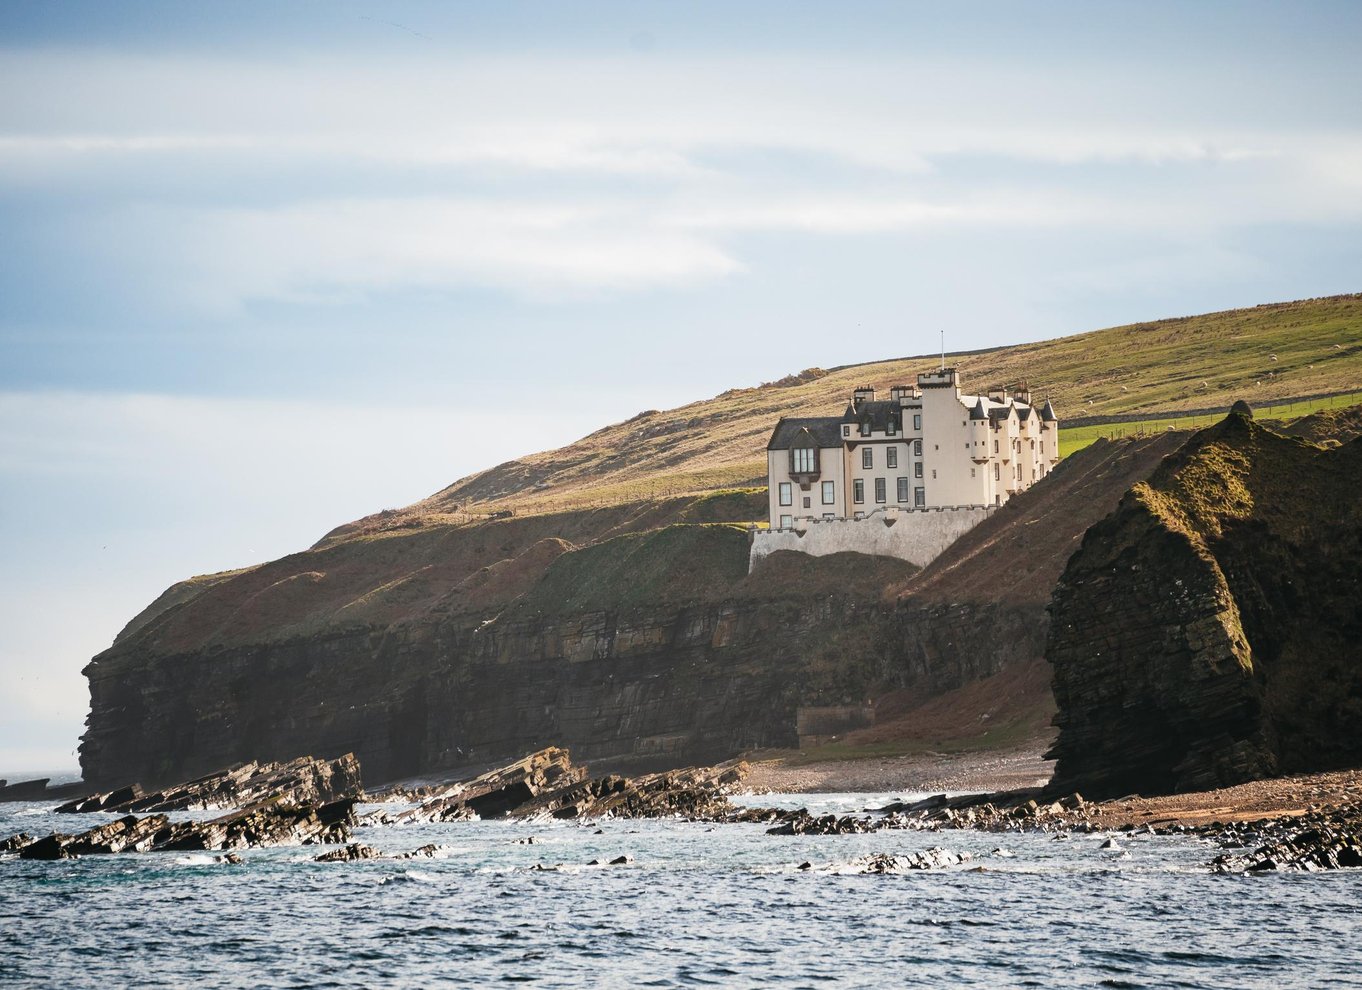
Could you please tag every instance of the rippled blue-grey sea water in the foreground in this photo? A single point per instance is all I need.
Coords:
(699, 906)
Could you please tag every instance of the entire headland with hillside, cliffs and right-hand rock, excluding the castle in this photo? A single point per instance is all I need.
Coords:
(1180, 603)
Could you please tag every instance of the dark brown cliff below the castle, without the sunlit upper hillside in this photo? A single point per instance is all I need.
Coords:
(630, 637)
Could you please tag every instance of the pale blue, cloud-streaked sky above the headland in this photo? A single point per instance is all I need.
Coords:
(272, 268)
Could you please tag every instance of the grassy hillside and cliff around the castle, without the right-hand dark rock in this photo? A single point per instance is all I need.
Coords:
(593, 598)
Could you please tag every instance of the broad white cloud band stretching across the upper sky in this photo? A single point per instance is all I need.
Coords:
(323, 179)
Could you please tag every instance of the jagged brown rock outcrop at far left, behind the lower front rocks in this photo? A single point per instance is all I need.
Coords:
(303, 781)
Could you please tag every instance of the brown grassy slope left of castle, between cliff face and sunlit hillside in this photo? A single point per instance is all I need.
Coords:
(368, 577)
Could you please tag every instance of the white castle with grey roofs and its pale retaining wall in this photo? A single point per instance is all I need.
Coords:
(930, 460)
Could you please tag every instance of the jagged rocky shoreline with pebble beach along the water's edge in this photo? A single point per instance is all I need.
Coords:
(1307, 825)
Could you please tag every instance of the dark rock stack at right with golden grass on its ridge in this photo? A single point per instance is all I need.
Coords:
(1207, 633)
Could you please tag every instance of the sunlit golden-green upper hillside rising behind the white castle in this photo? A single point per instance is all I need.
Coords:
(1261, 355)
